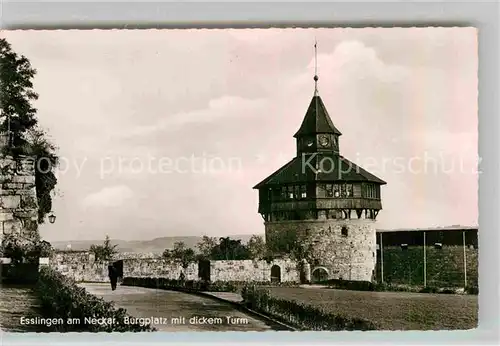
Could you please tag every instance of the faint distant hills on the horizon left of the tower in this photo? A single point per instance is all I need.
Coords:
(157, 245)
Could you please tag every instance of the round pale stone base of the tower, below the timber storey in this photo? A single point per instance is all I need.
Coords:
(347, 257)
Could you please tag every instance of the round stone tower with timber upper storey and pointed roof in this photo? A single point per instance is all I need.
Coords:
(320, 206)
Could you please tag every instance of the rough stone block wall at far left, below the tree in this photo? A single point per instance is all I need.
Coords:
(18, 202)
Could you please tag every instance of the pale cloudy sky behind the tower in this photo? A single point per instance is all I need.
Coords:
(165, 132)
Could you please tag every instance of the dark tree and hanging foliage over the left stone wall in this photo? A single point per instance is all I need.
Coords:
(18, 115)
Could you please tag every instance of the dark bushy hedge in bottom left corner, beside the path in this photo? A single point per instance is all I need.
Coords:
(78, 310)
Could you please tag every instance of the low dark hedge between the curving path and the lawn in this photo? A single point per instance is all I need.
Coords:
(299, 315)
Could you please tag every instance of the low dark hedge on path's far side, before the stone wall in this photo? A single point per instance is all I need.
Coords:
(195, 285)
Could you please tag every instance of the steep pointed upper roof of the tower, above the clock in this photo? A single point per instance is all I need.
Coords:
(317, 120)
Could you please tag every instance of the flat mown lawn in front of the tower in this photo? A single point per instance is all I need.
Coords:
(390, 310)
